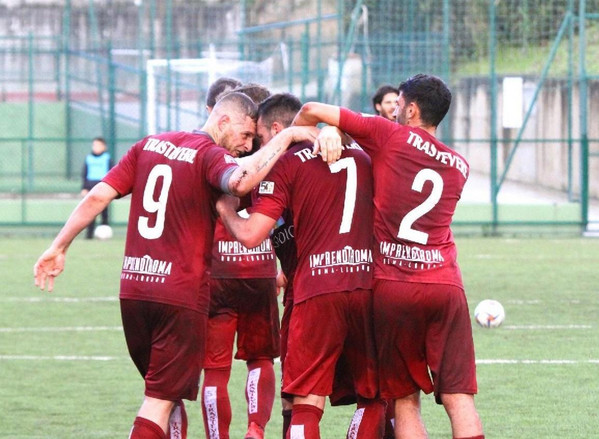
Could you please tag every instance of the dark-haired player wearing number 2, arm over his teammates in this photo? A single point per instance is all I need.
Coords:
(422, 322)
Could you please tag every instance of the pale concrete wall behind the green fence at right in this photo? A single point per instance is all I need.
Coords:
(541, 157)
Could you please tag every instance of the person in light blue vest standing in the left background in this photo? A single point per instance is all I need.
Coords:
(97, 164)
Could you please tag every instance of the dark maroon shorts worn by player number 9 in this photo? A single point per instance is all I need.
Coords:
(166, 343)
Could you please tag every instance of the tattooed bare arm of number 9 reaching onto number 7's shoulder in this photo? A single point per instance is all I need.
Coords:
(252, 169)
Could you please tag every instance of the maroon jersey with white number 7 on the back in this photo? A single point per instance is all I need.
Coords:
(332, 217)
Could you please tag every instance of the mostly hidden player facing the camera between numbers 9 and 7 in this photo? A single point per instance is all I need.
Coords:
(243, 307)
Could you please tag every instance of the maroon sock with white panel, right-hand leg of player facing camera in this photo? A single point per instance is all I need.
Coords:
(260, 391)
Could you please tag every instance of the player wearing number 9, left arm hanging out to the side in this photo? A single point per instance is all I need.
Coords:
(174, 179)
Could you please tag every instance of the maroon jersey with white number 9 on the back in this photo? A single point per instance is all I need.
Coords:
(172, 179)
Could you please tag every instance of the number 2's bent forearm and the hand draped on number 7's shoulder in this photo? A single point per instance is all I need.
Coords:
(329, 142)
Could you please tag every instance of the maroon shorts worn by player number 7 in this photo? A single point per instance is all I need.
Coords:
(323, 328)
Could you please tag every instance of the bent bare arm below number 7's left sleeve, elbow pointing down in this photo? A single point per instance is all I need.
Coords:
(250, 231)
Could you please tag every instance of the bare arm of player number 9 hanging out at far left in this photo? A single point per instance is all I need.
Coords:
(51, 263)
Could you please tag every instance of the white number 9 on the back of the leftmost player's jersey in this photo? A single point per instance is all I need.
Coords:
(152, 205)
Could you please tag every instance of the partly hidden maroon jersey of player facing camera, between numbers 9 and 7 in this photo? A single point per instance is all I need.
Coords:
(232, 260)
